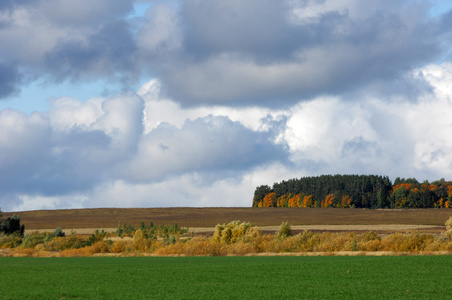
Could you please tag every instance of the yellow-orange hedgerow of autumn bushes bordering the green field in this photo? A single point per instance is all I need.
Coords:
(234, 238)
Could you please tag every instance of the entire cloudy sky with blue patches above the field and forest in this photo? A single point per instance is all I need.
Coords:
(196, 103)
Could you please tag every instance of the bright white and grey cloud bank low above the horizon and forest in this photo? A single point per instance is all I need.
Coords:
(132, 151)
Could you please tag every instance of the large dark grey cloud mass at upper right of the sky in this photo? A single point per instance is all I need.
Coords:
(251, 52)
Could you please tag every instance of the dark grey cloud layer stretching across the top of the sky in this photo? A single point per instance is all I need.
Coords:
(241, 53)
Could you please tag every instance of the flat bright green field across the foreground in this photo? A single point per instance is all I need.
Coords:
(401, 277)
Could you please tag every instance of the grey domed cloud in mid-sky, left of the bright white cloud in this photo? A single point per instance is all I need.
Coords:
(212, 144)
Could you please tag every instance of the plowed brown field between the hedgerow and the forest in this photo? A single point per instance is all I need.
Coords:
(322, 219)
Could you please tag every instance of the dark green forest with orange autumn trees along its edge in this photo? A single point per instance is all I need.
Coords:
(355, 191)
